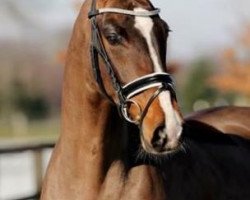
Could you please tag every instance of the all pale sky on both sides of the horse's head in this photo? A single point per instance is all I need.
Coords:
(199, 26)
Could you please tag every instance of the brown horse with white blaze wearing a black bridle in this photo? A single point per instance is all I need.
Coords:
(99, 154)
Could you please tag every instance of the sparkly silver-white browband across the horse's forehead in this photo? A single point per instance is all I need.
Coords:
(141, 13)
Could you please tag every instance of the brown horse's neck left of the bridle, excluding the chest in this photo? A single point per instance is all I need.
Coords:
(89, 122)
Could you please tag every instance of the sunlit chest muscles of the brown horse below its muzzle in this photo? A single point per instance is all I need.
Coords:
(141, 182)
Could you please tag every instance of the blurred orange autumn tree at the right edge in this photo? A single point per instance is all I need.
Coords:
(234, 74)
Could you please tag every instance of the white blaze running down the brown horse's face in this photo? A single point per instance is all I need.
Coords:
(172, 119)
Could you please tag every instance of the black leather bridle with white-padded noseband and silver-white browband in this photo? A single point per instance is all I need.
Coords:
(162, 81)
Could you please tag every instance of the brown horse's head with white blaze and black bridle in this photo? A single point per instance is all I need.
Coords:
(128, 56)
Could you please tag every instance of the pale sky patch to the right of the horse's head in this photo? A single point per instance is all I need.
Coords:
(202, 26)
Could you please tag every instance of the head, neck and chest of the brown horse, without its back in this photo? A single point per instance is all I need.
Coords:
(128, 57)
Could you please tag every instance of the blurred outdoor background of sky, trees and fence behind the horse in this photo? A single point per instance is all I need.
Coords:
(208, 52)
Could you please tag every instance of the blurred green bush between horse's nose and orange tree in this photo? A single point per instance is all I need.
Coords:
(196, 86)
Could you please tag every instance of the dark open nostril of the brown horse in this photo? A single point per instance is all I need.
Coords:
(159, 139)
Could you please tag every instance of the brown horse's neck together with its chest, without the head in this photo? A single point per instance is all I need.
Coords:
(89, 156)
